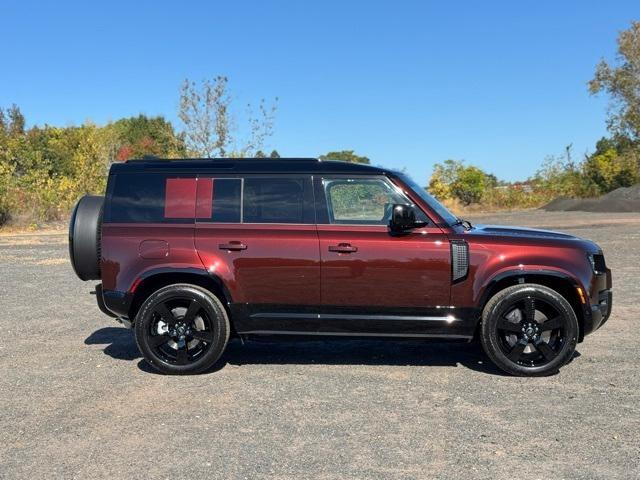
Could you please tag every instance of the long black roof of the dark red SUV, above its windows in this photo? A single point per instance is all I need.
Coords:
(245, 165)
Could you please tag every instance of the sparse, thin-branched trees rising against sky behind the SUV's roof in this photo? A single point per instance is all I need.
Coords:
(205, 110)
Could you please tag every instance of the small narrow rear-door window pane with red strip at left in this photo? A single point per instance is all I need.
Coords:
(219, 199)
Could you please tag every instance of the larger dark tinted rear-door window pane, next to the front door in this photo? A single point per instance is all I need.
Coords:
(276, 200)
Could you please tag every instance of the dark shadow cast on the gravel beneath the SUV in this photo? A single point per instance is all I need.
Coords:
(120, 344)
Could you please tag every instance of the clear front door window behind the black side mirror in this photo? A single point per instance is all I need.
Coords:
(366, 201)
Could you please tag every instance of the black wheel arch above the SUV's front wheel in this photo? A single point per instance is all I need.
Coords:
(560, 282)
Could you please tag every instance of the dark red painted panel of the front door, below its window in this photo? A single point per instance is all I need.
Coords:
(395, 271)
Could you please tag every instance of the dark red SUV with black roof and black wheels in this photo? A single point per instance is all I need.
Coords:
(191, 252)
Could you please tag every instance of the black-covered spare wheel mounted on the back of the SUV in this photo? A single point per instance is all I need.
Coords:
(85, 237)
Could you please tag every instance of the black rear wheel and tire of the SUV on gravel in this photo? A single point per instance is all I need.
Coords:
(197, 329)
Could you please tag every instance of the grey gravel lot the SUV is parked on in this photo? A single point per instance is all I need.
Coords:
(78, 401)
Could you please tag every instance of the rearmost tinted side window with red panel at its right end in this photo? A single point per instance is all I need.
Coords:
(151, 198)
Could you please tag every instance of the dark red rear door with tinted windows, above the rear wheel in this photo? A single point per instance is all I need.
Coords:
(257, 234)
